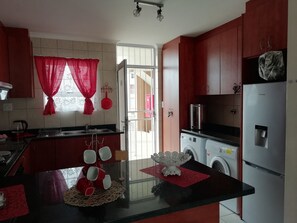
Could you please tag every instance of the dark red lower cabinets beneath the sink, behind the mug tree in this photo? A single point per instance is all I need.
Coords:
(59, 153)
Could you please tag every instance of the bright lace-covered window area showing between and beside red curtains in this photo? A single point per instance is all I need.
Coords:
(69, 97)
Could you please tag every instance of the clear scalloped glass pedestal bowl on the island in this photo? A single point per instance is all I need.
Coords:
(171, 161)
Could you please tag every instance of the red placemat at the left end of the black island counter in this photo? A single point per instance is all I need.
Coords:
(16, 204)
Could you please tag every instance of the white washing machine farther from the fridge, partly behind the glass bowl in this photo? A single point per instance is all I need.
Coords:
(193, 145)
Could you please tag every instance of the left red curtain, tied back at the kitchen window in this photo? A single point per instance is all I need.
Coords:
(50, 71)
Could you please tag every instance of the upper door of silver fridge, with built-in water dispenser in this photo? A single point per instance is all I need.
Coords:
(264, 112)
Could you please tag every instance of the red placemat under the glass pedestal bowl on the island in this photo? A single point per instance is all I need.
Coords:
(187, 177)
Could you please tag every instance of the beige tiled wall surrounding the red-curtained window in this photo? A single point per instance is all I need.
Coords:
(31, 109)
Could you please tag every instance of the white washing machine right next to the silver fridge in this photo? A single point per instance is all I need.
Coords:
(223, 158)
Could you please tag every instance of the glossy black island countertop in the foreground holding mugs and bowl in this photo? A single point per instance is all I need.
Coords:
(139, 200)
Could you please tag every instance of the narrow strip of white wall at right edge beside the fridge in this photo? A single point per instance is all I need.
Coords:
(291, 131)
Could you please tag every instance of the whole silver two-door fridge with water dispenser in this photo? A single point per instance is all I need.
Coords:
(264, 113)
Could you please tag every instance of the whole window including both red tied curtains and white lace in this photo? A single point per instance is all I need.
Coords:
(51, 72)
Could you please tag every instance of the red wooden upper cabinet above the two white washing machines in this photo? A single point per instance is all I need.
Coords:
(218, 59)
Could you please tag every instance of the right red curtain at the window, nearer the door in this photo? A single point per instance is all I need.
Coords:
(84, 73)
